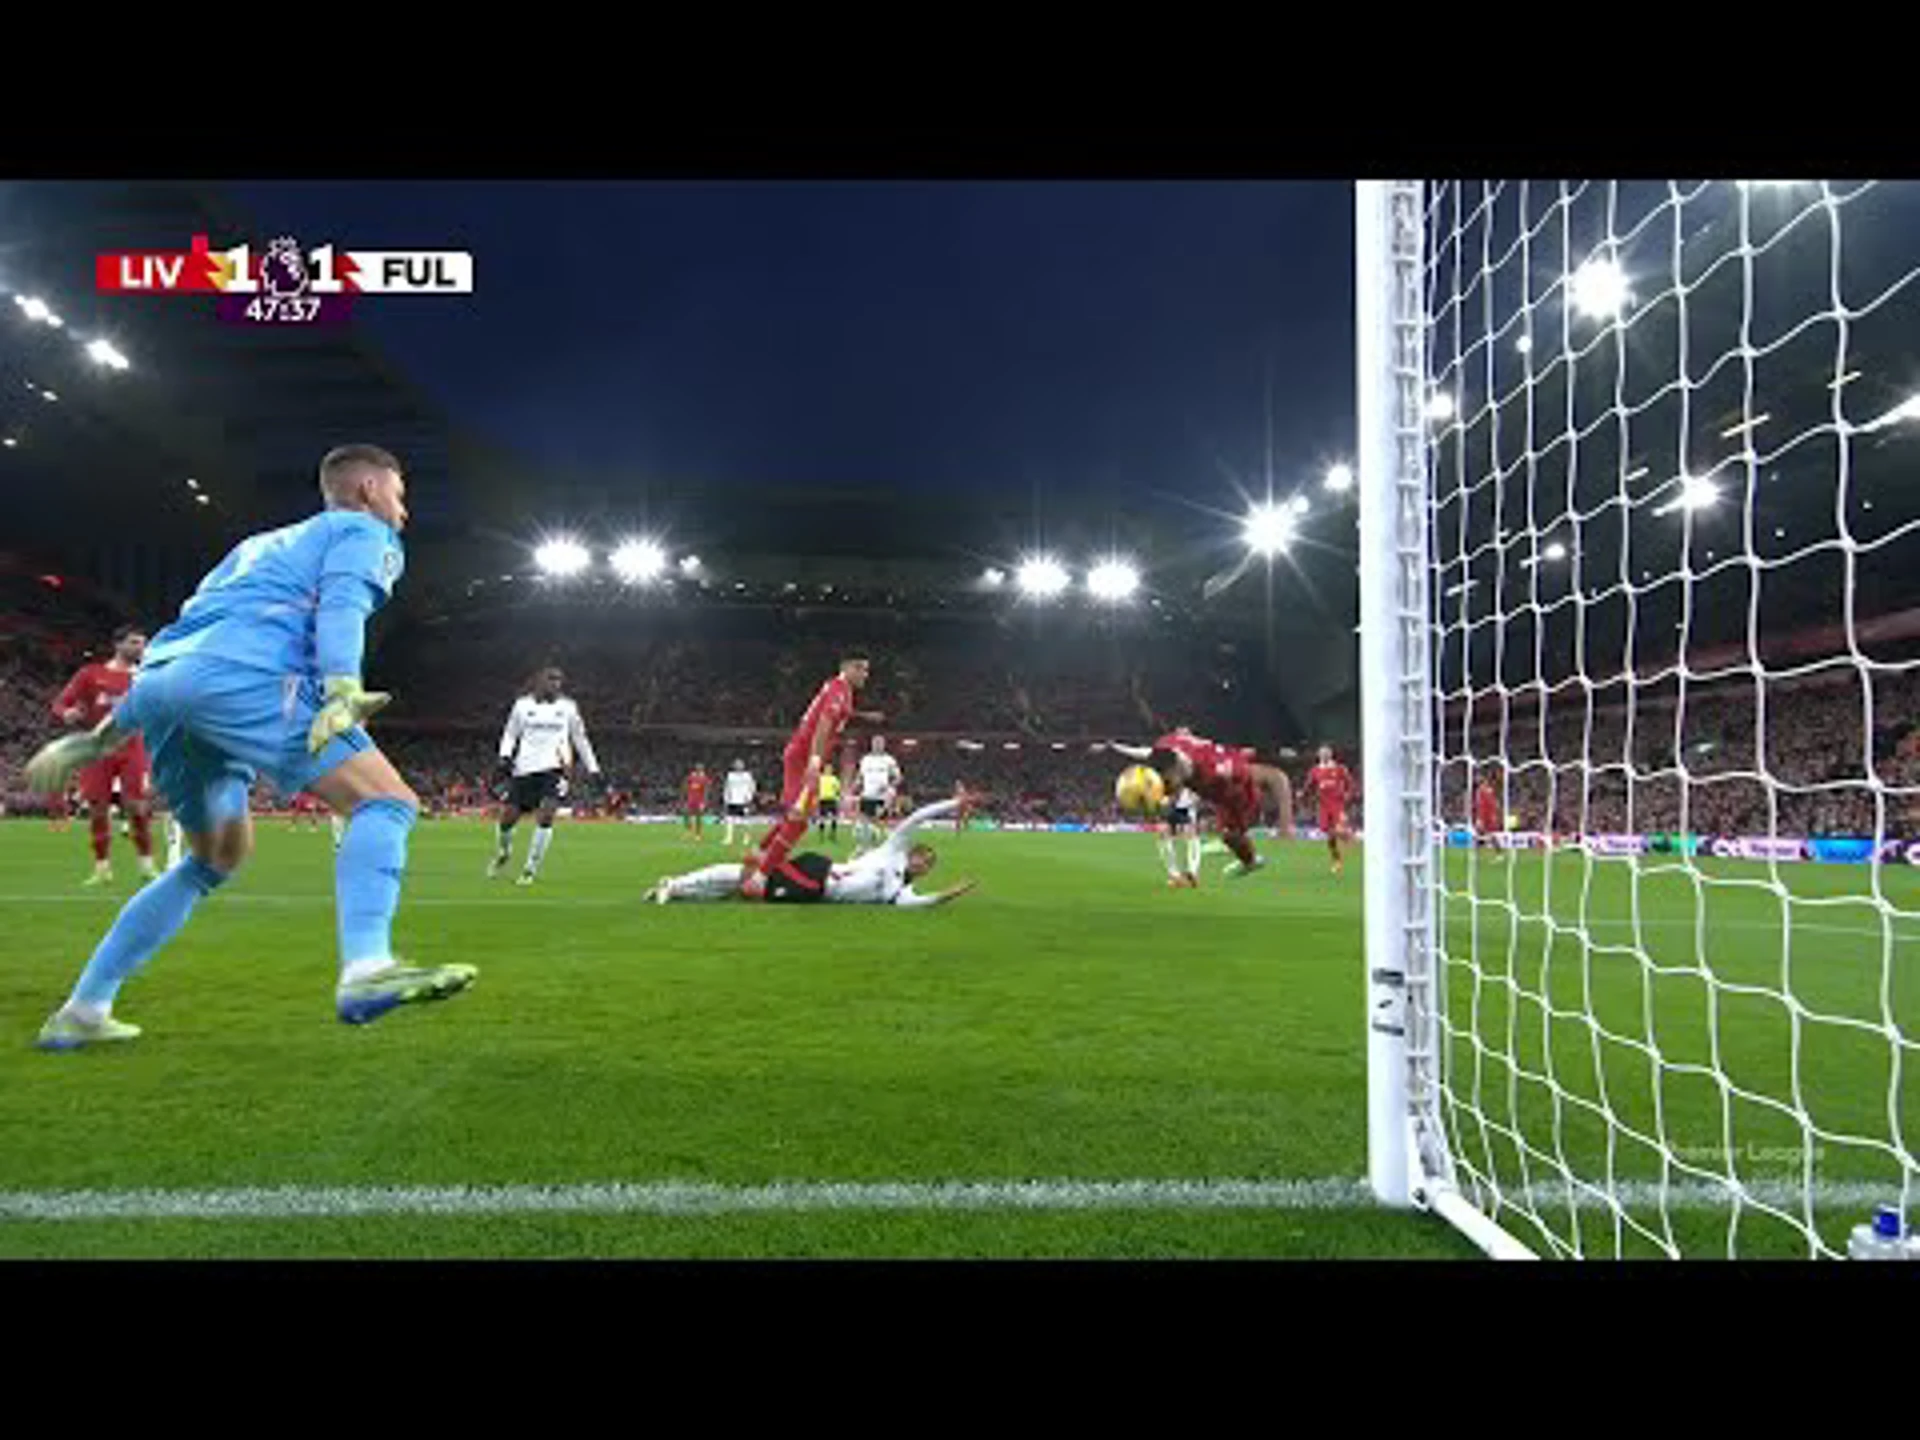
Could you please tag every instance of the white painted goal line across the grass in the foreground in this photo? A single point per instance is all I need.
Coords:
(805, 1197)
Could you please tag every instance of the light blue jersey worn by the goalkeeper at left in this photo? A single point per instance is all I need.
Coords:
(293, 600)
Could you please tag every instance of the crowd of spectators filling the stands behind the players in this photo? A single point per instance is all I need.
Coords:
(1024, 723)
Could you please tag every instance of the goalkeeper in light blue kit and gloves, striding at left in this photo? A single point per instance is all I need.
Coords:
(262, 675)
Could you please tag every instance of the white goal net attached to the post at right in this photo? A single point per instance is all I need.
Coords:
(1662, 924)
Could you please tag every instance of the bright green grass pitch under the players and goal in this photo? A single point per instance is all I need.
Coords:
(1072, 1063)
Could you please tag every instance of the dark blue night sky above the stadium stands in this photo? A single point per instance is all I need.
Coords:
(1080, 337)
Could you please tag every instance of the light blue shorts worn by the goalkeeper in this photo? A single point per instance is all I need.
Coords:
(214, 727)
